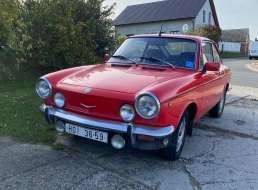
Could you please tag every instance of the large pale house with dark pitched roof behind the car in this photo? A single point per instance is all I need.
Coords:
(177, 16)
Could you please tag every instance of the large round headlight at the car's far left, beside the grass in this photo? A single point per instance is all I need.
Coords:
(44, 88)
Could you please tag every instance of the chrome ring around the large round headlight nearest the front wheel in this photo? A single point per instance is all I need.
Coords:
(155, 100)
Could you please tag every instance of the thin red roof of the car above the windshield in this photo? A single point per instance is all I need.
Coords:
(197, 38)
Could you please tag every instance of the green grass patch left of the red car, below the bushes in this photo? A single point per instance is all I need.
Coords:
(19, 114)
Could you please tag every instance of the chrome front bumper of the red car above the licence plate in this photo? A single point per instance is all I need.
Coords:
(130, 129)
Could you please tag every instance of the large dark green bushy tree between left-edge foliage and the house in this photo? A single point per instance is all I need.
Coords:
(65, 33)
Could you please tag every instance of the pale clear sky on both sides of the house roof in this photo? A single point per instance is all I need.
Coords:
(232, 14)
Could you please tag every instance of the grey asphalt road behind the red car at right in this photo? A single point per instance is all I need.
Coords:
(241, 75)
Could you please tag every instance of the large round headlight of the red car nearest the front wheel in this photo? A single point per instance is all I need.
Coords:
(147, 105)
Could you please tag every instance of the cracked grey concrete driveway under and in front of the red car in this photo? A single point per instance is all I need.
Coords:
(221, 154)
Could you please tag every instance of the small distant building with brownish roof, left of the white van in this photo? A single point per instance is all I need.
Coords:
(235, 40)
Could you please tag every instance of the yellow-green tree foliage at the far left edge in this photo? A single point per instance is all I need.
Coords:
(12, 35)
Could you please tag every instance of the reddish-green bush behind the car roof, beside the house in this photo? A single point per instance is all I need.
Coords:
(209, 31)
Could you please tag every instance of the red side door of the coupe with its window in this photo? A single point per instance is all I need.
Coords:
(211, 79)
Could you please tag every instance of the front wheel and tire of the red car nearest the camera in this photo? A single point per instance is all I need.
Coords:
(173, 152)
